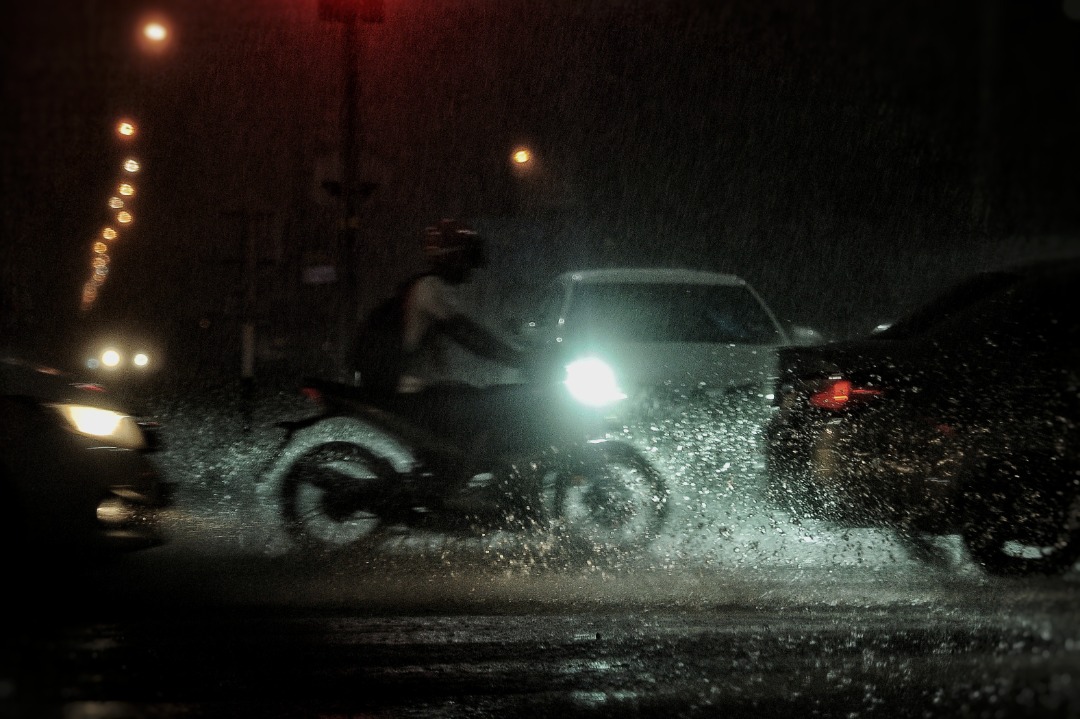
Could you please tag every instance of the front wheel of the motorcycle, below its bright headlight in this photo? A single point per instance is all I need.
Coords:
(615, 501)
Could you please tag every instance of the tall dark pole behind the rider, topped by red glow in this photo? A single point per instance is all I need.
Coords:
(350, 13)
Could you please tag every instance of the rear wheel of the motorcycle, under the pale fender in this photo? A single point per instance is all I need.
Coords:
(329, 496)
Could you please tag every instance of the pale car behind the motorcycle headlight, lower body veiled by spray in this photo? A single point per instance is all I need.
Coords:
(680, 362)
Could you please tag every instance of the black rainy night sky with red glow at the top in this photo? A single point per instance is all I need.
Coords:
(844, 157)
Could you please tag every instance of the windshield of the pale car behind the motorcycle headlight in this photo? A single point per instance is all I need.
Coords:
(670, 313)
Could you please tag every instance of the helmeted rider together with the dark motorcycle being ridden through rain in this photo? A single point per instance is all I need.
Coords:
(503, 452)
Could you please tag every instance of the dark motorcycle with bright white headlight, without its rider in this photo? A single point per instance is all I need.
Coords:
(354, 471)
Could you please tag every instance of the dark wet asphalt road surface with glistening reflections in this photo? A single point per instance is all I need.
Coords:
(261, 637)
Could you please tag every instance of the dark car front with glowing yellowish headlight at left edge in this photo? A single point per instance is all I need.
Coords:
(76, 469)
